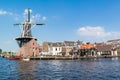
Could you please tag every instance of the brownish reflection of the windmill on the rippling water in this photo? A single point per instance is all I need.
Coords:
(26, 70)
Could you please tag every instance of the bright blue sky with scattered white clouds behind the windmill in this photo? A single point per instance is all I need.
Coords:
(72, 20)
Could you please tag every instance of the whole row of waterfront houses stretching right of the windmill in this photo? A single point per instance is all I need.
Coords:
(68, 48)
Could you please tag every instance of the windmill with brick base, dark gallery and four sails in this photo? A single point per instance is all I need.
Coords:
(28, 46)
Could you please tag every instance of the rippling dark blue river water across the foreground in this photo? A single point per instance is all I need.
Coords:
(87, 69)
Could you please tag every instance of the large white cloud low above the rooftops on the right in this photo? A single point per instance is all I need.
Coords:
(97, 32)
